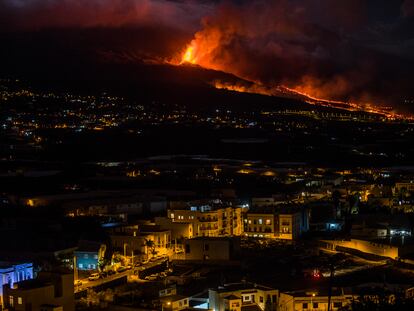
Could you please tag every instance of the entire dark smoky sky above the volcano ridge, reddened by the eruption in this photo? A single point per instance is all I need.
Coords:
(343, 49)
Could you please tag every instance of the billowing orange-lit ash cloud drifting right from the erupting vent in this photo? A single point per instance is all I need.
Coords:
(348, 50)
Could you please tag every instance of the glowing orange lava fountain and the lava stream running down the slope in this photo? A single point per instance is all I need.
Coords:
(189, 56)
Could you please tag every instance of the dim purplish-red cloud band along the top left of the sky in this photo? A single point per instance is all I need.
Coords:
(40, 14)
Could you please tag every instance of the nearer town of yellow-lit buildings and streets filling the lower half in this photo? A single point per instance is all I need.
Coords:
(301, 238)
